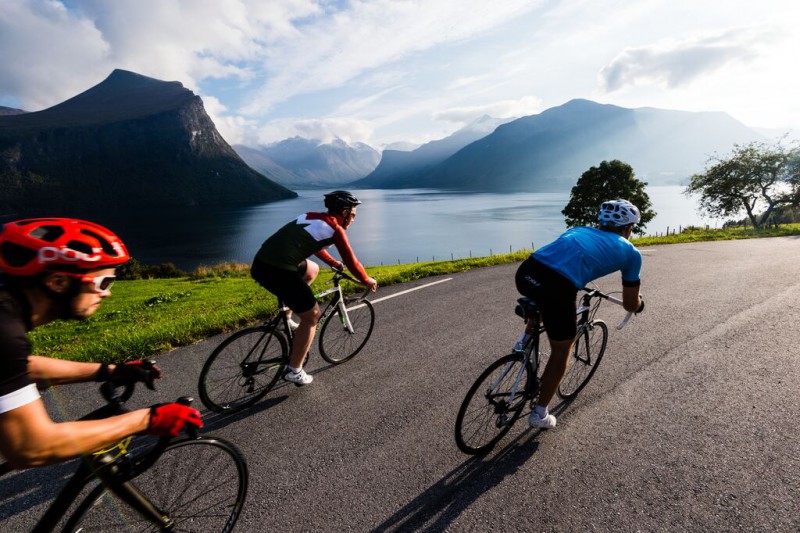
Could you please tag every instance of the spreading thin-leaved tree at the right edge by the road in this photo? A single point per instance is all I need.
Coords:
(755, 176)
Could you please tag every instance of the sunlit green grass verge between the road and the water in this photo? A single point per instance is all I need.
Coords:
(148, 317)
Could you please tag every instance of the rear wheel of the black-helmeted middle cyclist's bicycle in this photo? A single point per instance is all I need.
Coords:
(243, 369)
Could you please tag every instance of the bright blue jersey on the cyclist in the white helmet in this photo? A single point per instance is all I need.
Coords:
(584, 254)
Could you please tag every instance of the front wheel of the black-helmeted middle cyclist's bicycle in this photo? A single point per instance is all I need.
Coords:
(336, 343)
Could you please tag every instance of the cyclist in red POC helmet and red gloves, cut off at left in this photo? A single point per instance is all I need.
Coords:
(60, 268)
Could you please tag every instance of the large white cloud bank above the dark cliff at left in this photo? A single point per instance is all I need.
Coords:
(52, 50)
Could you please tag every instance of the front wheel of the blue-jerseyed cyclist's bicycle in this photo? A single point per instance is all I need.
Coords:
(590, 344)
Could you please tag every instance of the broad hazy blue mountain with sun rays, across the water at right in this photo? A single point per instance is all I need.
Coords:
(550, 151)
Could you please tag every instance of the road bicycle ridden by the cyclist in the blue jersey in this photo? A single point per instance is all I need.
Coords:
(496, 399)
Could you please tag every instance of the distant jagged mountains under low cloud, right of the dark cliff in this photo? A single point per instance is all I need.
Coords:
(309, 163)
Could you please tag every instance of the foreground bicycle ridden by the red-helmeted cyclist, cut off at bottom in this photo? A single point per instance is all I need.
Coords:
(189, 483)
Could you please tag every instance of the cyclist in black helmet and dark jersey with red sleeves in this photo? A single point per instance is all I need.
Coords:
(282, 267)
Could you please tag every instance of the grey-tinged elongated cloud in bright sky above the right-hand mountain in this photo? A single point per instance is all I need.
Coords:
(677, 63)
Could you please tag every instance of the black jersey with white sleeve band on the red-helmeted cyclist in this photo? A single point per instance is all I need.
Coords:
(16, 387)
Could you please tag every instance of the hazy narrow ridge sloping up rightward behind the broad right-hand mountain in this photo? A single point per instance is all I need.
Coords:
(401, 168)
